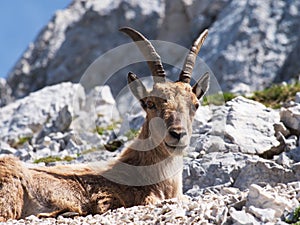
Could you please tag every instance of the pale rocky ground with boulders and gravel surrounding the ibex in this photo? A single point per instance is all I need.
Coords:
(243, 166)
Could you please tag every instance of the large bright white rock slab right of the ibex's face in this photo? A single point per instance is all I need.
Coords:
(247, 117)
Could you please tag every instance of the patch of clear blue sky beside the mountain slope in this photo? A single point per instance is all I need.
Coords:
(20, 22)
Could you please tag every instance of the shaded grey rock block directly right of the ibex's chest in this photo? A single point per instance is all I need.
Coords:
(214, 169)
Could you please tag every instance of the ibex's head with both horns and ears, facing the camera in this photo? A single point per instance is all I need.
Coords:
(173, 103)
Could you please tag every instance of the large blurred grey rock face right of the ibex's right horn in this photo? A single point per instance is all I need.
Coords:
(251, 43)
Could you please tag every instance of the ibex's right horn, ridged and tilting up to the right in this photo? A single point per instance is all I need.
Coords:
(186, 73)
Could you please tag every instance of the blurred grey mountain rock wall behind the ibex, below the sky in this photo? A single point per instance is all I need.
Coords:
(250, 45)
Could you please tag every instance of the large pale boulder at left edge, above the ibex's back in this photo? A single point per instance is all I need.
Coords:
(26, 116)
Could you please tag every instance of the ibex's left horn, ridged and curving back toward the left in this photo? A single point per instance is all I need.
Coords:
(147, 49)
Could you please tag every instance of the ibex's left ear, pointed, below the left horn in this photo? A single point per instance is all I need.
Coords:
(137, 88)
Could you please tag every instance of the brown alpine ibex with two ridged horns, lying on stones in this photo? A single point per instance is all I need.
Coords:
(147, 171)
